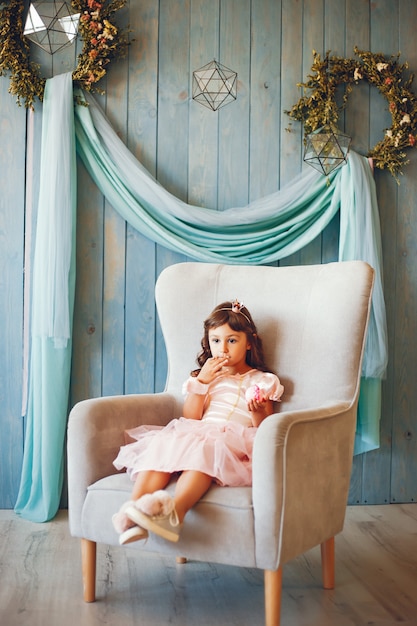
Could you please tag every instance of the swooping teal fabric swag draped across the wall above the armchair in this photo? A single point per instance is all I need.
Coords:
(262, 232)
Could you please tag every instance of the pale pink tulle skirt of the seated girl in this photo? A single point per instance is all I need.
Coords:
(221, 450)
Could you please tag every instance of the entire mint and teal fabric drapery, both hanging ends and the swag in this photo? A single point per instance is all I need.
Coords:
(262, 232)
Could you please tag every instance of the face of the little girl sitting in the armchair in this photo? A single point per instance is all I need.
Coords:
(233, 344)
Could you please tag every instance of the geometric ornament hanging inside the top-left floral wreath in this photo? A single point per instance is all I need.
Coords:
(51, 24)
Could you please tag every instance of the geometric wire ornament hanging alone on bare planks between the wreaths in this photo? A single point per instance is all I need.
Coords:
(214, 85)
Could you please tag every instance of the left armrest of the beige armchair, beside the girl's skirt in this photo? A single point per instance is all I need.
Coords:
(95, 433)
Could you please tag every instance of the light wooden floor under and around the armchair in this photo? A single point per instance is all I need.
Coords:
(376, 569)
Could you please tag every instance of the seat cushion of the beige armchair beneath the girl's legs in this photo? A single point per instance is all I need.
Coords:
(225, 510)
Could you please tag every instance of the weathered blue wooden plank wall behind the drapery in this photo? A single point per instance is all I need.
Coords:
(217, 160)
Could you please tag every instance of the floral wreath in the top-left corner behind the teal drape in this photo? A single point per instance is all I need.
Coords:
(102, 42)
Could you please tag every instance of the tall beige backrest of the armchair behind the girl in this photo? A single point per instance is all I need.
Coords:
(310, 319)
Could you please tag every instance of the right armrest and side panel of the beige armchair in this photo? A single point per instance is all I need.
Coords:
(302, 462)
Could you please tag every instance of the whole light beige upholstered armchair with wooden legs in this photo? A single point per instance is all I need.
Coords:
(312, 320)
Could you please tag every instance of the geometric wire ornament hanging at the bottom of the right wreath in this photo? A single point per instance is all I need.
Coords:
(326, 149)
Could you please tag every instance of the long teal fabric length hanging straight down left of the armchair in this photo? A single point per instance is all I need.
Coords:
(52, 306)
